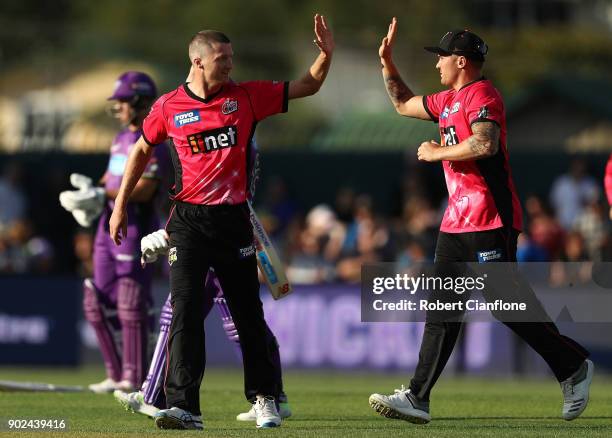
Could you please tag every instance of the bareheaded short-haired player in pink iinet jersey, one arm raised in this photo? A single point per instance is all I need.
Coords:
(210, 122)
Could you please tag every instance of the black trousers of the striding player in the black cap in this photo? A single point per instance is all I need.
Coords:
(562, 354)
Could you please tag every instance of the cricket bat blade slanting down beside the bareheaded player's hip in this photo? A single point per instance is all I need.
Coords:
(268, 261)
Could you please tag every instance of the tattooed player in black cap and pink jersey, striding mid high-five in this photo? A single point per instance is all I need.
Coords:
(481, 223)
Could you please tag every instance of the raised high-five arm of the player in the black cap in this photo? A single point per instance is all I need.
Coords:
(404, 100)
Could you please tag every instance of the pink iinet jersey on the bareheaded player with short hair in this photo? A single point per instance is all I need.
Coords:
(211, 136)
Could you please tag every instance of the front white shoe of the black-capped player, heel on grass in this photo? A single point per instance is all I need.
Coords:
(402, 405)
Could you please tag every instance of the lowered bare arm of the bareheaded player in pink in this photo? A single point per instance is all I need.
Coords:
(135, 166)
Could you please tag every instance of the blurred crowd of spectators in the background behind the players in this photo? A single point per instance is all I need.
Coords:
(328, 243)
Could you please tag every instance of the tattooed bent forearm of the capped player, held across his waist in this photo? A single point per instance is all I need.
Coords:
(483, 143)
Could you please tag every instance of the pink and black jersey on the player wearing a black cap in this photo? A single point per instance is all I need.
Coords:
(481, 193)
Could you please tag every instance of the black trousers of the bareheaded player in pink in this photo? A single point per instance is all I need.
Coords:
(221, 237)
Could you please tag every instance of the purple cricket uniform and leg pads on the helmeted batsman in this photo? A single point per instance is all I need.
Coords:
(119, 281)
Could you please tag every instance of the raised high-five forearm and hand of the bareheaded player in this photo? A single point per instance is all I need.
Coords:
(311, 82)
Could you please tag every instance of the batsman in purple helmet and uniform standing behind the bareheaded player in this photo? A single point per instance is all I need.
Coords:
(119, 297)
